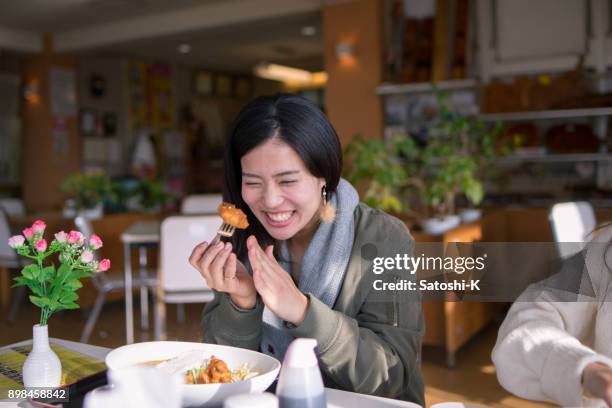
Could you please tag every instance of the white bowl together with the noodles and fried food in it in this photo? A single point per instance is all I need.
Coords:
(210, 372)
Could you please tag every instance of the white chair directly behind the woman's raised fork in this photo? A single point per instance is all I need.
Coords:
(178, 281)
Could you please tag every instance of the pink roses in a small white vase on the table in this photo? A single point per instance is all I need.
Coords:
(52, 289)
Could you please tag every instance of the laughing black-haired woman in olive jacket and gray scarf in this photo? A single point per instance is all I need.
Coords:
(291, 275)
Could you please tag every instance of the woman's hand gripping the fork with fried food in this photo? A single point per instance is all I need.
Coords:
(224, 273)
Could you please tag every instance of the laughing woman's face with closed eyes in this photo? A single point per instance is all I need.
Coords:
(279, 190)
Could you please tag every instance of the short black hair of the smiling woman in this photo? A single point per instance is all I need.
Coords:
(294, 120)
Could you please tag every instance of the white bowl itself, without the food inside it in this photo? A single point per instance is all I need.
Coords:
(195, 395)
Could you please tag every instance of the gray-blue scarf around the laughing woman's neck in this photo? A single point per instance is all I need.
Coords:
(323, 266)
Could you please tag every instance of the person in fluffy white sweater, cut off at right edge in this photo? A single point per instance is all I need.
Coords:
(553, 350)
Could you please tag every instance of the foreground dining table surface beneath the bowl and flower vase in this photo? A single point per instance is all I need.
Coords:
(335, 398)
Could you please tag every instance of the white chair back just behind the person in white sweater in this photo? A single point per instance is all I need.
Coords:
(572, 223)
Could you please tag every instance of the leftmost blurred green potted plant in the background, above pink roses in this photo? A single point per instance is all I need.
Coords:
(86, 194)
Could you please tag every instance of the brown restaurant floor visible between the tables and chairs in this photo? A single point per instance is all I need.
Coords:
(473, 379)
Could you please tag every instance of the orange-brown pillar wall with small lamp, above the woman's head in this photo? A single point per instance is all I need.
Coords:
(351, 102)
